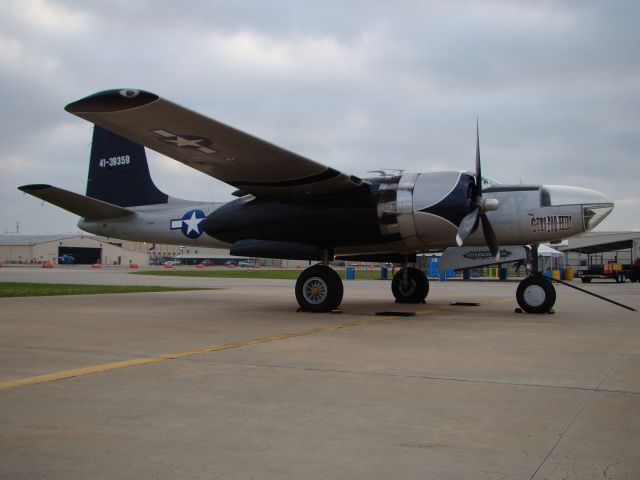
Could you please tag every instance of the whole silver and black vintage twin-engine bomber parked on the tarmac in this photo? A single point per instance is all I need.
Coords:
(291, 207)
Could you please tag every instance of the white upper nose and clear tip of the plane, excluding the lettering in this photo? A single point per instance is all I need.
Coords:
(595, 205)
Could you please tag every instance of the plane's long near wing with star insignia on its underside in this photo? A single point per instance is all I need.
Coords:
(246, 162)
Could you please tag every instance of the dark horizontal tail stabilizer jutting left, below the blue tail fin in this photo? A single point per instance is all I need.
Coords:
(87, 207)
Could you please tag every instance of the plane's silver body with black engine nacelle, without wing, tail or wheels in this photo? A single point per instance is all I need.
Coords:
(405, 213)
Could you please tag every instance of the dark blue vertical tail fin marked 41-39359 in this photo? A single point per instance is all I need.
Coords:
(118, 172)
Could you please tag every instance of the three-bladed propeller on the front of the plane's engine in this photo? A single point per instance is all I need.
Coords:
(481, 206)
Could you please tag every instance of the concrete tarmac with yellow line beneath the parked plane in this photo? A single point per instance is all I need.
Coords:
(235, 384)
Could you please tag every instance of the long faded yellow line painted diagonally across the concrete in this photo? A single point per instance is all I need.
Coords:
(78, 372)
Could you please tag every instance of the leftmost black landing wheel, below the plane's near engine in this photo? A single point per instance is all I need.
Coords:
(319, 289)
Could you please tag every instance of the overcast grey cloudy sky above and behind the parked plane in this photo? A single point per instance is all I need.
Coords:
(354, 85)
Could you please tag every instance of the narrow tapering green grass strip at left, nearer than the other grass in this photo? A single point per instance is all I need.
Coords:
(16, 289)
